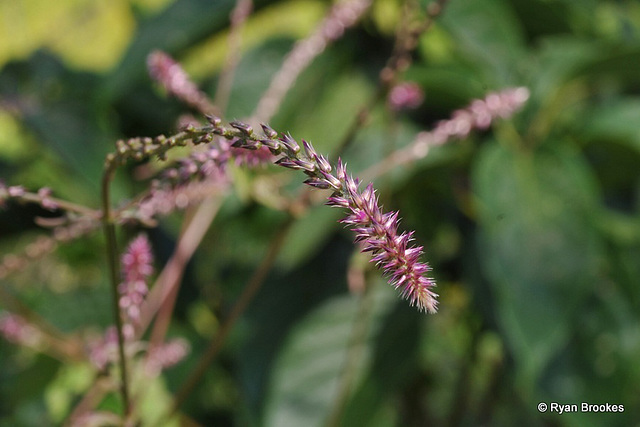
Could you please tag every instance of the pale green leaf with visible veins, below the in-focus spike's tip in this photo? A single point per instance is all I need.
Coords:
(310, 370)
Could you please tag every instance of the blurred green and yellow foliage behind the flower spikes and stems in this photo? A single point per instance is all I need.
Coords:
(532, 228)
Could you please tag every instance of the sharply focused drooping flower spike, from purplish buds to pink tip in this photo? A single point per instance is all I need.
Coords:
(377, 230)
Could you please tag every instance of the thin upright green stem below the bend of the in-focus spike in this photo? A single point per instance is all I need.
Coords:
(114, 268)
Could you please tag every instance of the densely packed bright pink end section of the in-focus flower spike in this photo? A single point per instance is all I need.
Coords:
(379, 233)
